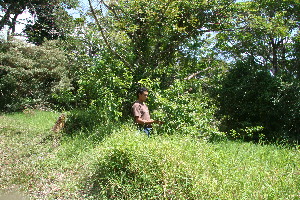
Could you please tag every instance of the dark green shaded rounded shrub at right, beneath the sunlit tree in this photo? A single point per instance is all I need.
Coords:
(254, 104)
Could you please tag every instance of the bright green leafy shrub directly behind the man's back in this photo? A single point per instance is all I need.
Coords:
(104, 88)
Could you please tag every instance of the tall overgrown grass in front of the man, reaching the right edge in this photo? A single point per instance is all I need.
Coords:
(179, 167)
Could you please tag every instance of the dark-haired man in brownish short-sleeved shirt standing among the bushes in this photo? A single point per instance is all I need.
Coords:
(141, 112)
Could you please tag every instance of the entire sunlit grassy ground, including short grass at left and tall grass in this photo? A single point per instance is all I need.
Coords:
(118, 163)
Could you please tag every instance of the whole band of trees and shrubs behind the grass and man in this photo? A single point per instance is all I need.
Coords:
(214, 67)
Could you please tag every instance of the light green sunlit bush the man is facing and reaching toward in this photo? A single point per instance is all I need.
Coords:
(186, 109)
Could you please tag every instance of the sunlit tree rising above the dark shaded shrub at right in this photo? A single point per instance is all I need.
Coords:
(264, 30)
